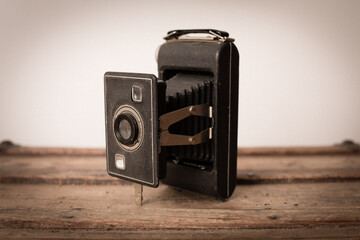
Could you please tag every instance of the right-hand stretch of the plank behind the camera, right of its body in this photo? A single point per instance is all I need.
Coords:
(317, 168)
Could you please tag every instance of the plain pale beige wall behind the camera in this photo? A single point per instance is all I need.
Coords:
(299, 73)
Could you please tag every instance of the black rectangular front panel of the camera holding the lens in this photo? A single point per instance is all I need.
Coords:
(132, 127)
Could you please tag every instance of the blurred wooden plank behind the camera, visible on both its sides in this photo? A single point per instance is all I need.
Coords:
(251, 169)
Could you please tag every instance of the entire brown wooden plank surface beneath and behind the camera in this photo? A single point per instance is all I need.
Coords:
(305, 193)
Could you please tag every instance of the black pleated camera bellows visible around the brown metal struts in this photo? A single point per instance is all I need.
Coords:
(186, 89)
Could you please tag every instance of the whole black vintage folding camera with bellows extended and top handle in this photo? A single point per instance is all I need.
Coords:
(180, 128)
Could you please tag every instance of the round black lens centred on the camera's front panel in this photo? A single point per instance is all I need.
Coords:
(126, 129)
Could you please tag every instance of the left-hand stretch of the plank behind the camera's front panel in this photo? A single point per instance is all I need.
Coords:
(55, 170)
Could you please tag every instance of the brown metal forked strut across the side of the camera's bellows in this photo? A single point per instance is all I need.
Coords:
(168, 119)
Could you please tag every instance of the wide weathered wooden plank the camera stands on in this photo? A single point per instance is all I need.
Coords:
(93, 207)
